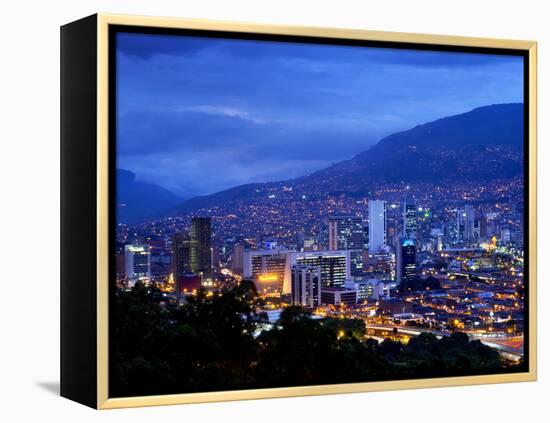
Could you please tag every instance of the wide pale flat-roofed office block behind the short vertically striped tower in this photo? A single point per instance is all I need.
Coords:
(335, 265)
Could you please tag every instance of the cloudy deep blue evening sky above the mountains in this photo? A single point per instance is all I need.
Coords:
(198, 115)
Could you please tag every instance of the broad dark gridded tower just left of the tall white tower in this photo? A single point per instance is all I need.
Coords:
(346, 233)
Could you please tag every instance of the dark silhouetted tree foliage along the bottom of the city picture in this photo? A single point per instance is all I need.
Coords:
(209, 344)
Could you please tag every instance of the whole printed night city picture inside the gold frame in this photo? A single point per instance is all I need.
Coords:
(371, 251)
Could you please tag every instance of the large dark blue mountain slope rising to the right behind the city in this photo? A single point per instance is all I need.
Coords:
(481, 145)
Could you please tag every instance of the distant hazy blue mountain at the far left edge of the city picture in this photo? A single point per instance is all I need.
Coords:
(138, 201)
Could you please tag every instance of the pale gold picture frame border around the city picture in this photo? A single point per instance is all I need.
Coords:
(102, 23)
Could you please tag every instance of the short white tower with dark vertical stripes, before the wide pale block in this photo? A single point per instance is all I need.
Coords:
(306, 286)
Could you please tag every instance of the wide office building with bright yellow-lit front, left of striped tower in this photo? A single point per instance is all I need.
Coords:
(268, 270)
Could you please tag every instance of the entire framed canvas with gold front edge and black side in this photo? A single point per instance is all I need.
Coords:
(257, 211)
